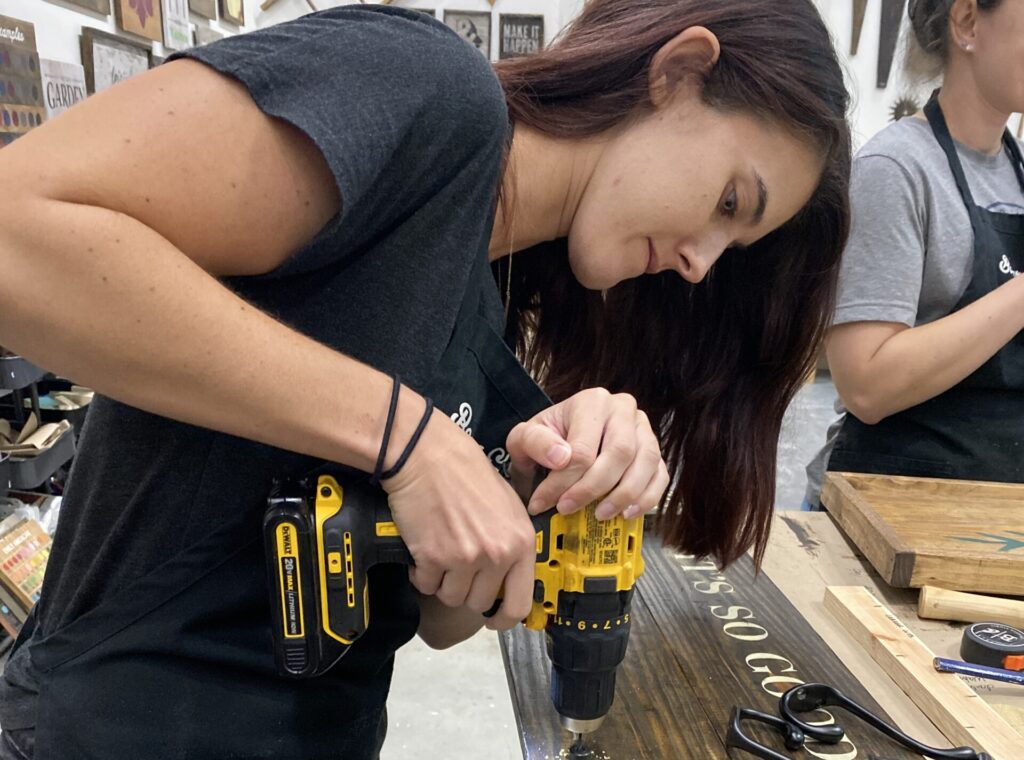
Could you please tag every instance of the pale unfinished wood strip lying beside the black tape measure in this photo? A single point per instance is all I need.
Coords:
(955, 708)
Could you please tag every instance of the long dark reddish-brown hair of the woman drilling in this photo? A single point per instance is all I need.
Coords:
(714, 365)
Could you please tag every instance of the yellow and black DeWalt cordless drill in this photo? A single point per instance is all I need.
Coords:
(321, 540)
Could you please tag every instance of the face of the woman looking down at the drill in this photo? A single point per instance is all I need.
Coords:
(674, 191)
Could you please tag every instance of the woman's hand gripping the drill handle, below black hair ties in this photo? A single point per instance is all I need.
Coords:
(467, 530)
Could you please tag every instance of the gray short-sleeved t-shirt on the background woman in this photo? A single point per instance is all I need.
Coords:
(911, 249)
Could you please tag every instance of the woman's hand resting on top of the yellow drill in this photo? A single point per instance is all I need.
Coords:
(598, 446)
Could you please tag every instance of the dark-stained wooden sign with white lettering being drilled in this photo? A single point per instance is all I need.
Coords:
(702, 643)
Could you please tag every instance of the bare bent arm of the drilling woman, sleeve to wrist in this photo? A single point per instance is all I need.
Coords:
(126, 205)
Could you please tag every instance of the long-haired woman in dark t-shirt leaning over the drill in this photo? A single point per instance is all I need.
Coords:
(276, 252)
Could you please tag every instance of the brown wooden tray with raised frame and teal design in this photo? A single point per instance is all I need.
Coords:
(960, 535)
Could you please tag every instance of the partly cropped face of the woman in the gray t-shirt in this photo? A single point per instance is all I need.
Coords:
(998, 56)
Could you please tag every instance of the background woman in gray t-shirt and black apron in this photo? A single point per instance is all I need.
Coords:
(927, 351)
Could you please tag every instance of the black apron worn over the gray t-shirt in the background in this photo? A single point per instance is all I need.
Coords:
(975, 431)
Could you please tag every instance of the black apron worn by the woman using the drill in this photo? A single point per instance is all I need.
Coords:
(180, 665)
